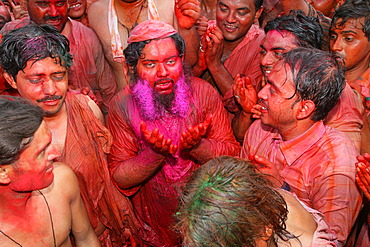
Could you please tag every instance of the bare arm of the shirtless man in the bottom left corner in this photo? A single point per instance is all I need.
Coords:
(82, 230)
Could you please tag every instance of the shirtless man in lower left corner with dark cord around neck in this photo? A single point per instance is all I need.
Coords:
(40, 199)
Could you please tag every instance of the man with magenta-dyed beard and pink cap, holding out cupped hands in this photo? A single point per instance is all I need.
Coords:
(154, 150)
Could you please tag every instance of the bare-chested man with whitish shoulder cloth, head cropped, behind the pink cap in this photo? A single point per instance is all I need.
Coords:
(113, 21)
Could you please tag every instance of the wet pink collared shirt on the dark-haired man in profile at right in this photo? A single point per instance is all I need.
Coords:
(318, 166)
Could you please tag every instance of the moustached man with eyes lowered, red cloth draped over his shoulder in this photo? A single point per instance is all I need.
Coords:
(35, 59)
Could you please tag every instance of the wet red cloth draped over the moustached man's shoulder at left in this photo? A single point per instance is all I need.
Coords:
(86, 144)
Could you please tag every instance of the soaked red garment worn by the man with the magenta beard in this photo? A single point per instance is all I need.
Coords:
(155, 201)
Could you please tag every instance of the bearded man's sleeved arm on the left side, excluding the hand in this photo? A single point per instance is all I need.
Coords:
(129, 164)
